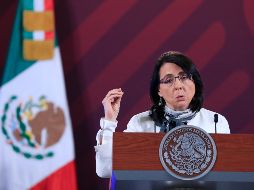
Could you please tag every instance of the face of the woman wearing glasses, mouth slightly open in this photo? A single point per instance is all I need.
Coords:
(179, 94)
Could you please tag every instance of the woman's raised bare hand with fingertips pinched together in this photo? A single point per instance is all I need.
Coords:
(111, 104)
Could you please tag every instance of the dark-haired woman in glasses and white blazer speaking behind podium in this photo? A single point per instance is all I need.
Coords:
(176, 91)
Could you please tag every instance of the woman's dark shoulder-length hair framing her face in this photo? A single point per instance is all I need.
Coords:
(157, 110)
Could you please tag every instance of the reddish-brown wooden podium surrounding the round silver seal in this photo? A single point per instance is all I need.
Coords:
(136, 164)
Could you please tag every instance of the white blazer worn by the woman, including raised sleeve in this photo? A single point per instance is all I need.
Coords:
(142, 122)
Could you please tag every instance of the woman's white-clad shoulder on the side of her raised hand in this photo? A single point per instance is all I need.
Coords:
(140, 122)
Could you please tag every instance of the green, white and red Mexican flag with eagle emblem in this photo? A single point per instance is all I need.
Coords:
(36, 142)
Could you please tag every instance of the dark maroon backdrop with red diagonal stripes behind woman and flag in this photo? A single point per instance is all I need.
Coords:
(111, 44)
